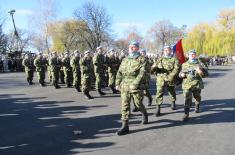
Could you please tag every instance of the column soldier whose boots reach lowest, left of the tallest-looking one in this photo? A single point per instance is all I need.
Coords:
(86, 73)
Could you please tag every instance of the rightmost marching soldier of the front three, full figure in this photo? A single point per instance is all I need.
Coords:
(192, 73)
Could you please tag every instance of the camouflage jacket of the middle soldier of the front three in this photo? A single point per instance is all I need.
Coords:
(166, 68)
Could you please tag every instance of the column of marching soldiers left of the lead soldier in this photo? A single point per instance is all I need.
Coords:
(79, 70)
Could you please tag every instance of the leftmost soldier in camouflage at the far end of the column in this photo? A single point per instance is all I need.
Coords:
(29, 68)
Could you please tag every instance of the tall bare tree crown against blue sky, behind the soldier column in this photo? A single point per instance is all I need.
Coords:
(97, 23)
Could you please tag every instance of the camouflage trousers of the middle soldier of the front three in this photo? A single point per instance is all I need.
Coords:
(161, 84)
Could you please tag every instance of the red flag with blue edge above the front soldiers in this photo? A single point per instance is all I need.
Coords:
(179, 52)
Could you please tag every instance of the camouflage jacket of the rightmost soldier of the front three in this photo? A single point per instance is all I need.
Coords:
(192, 79)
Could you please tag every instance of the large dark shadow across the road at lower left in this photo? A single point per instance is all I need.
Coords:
(31, 126)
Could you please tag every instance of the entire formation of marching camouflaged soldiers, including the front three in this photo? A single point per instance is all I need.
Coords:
(128, 75)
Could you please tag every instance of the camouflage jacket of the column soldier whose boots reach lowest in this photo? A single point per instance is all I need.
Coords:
(86, 67)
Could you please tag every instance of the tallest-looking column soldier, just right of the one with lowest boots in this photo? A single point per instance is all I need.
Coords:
(99, 69)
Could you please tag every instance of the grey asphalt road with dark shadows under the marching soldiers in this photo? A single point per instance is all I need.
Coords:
(45, 121)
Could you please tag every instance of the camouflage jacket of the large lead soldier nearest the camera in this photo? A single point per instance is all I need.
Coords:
(131, 74)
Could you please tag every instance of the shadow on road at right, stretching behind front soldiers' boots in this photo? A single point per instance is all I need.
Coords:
(220, 111)
